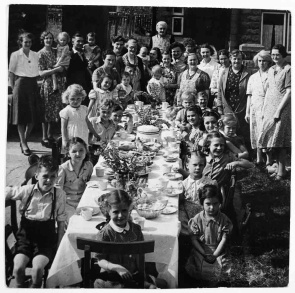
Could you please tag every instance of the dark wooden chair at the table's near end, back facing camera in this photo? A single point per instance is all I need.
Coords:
(88, 245)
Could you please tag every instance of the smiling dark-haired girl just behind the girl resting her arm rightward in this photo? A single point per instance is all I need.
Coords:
(208, 124)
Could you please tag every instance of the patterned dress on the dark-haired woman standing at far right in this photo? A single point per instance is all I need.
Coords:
(276, 134)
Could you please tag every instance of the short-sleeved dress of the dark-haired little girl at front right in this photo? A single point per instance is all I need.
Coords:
(209, 232)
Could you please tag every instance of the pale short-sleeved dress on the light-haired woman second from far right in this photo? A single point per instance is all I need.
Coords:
(257, 86)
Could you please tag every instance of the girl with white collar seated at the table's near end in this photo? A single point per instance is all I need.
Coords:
(119, 271)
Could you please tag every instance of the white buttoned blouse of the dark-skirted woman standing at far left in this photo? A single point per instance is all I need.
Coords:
(24, 66)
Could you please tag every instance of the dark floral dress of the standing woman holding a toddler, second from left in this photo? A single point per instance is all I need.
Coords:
(52, 102)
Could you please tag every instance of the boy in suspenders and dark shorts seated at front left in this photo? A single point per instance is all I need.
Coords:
(41, 205)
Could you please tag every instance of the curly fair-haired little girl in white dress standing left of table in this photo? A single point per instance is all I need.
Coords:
(74, 120)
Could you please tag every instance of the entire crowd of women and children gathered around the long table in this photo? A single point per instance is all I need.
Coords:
(221, 108)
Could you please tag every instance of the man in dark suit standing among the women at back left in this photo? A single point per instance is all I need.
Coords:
(78, 68)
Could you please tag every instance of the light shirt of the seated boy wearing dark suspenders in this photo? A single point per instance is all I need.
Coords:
(40, 206)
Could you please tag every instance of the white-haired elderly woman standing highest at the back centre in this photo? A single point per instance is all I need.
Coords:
(162, 40)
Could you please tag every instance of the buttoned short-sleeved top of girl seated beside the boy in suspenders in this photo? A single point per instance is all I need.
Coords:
(72, 183)
